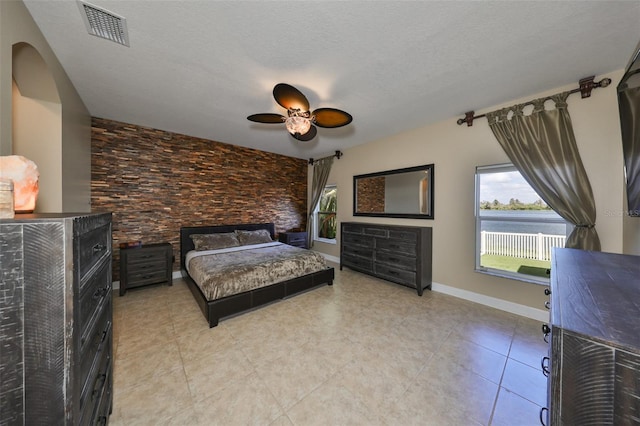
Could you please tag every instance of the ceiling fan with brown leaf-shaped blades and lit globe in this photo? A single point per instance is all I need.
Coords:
(299, 120)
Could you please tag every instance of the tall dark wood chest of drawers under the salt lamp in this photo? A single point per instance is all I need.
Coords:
(55, 304)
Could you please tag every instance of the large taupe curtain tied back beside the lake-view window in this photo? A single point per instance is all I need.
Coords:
(543, 148)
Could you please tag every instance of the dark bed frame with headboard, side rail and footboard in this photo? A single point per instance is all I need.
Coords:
(214, 310)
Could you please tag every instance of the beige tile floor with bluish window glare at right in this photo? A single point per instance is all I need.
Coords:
(361, 352)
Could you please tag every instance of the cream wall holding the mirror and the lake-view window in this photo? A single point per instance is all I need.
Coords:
(456, 151)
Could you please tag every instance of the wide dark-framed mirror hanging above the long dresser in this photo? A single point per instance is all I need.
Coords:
(402, 193)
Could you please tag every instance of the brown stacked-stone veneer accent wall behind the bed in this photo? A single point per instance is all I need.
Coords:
(155, 181)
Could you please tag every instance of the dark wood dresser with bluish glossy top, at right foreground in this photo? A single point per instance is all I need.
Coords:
(594, 335)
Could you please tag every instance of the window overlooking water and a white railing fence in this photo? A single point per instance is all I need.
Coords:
(515, 229)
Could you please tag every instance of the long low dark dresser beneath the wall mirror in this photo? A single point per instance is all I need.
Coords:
(401, 254)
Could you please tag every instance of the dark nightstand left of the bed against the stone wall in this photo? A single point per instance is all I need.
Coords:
(148, 264)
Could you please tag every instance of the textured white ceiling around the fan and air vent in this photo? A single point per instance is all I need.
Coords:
(201, 67)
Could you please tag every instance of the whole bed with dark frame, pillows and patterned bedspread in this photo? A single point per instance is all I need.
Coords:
(224, 284)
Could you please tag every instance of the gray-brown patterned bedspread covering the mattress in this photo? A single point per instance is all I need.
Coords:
(221, 273)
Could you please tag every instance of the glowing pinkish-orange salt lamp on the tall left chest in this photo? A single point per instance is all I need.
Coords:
(24, 174)
